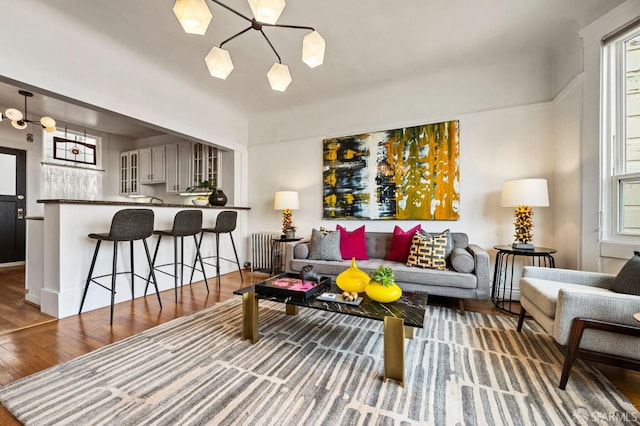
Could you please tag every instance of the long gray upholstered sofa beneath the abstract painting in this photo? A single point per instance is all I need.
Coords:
(449, 283)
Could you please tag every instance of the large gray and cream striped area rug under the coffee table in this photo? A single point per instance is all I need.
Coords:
(317, 368)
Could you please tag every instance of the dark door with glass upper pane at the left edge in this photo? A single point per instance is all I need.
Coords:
(13, 185)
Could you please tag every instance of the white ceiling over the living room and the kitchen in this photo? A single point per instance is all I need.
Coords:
(369, 42)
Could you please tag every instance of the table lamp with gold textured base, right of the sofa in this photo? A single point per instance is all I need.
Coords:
(523, 194)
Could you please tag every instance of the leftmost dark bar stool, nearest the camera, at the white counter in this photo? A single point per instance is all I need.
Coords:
(127, 225)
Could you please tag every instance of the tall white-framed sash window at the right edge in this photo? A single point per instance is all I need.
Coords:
(621, 83)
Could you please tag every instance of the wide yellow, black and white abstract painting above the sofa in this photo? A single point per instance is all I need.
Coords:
(405, 174)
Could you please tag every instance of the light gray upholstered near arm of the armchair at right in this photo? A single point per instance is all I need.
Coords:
(608, 306)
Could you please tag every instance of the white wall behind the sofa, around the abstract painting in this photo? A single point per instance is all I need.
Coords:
(505, 133)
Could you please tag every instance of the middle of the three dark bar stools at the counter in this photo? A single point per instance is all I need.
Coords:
(185, 223)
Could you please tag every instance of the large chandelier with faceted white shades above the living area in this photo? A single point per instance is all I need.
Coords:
(195, 16)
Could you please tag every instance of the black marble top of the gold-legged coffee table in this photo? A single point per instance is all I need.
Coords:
(410, 307)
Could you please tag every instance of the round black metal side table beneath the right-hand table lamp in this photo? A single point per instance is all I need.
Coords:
(502, 292)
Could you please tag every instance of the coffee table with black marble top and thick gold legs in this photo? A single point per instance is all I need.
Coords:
(399, 319)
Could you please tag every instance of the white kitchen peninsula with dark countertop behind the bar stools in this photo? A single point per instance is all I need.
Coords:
(59, 252)
